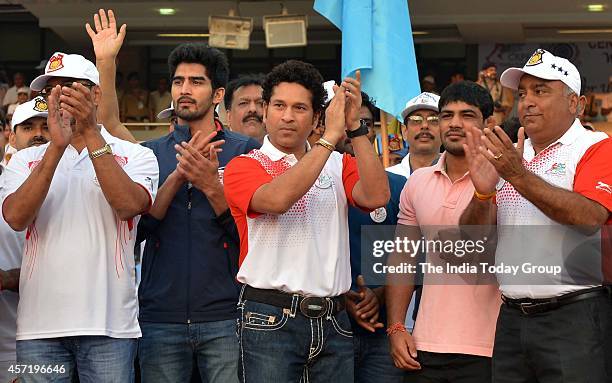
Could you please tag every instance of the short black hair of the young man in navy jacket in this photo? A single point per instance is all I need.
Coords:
(215, 61)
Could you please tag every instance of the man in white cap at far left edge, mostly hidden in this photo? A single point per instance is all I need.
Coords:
(29, 129)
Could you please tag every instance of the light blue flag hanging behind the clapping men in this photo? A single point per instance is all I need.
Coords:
(377, 38)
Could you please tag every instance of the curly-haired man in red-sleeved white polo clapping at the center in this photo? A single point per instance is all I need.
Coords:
(290, 204)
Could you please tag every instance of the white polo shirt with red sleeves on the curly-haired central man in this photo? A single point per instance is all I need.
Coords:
(305, 250)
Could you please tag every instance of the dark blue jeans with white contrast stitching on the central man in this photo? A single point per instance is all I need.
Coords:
(282, 345)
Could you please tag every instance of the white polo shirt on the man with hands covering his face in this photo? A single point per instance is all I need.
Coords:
(77, 273)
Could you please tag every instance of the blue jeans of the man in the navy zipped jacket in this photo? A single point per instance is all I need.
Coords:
(167, 351)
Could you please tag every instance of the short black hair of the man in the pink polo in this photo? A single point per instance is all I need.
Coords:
(470, 93)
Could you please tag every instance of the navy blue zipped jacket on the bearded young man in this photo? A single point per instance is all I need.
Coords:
(190, 260)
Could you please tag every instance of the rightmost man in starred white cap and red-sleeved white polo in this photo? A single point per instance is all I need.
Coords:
(553, 327)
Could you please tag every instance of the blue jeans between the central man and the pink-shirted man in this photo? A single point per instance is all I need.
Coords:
(373, 362)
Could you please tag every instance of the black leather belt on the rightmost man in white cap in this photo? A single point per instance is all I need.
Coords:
(530, 306)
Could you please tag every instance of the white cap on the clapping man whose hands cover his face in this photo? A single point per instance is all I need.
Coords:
(65, 65)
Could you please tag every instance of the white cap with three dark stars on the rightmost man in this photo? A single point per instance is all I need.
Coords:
(544, 65)
